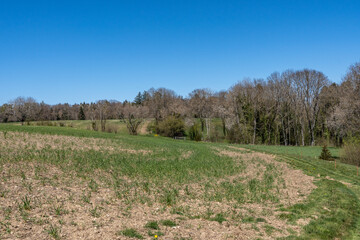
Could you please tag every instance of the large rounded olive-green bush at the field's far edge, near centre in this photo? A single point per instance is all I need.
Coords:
(171, 126)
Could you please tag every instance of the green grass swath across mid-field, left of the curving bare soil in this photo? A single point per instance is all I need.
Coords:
(147, 167)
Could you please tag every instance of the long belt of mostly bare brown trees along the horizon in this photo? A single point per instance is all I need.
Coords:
(290, 108)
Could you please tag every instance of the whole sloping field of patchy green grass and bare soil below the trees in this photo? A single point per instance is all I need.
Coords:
(72, 183)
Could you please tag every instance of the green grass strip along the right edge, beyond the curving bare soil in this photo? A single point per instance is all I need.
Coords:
(336, 200)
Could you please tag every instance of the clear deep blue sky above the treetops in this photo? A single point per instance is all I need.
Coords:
(73, 51)
